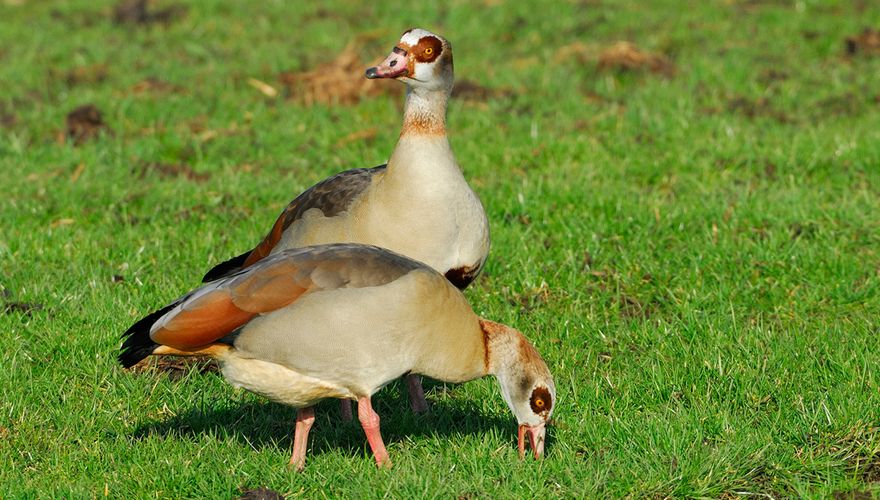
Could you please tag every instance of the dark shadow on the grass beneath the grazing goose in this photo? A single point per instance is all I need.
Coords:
(269, 425)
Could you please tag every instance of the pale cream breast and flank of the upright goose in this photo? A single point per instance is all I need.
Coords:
(422, 208)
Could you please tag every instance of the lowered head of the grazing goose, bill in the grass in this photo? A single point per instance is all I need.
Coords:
(525, 380)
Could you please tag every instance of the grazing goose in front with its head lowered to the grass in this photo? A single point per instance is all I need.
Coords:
(341, 321)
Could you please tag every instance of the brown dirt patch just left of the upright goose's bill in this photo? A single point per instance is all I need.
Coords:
(339, 82)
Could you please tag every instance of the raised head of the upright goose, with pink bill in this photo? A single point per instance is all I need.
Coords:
(421, 59)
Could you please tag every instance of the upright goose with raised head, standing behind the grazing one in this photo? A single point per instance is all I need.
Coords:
(418, 205)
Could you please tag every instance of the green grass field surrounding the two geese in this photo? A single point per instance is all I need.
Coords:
(693, 244)
